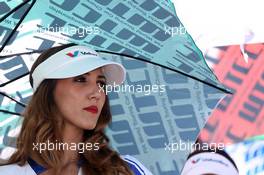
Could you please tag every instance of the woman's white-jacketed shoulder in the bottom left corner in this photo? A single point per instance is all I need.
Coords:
(13, 169)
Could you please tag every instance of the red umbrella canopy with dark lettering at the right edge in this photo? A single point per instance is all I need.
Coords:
(238, 116)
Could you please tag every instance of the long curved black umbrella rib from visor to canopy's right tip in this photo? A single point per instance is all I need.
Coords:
(166, 67)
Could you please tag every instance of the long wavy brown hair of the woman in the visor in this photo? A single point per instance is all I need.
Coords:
(40, 125)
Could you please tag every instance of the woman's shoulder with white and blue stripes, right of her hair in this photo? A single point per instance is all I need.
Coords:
(137, 167)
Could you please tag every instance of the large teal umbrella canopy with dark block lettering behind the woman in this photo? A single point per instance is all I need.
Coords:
(142, 36)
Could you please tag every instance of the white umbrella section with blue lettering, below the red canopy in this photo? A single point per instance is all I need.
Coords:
(248, 155)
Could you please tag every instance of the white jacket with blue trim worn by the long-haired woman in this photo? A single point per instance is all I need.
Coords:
(31, 169)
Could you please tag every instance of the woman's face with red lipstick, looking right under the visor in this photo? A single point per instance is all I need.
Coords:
(80, 99)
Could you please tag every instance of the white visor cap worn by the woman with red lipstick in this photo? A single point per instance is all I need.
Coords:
(74, 61)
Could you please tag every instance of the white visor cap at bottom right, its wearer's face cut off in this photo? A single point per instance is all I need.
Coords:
(209, 163)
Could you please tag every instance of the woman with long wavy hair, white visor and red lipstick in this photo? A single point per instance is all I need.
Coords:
(69, 108)
